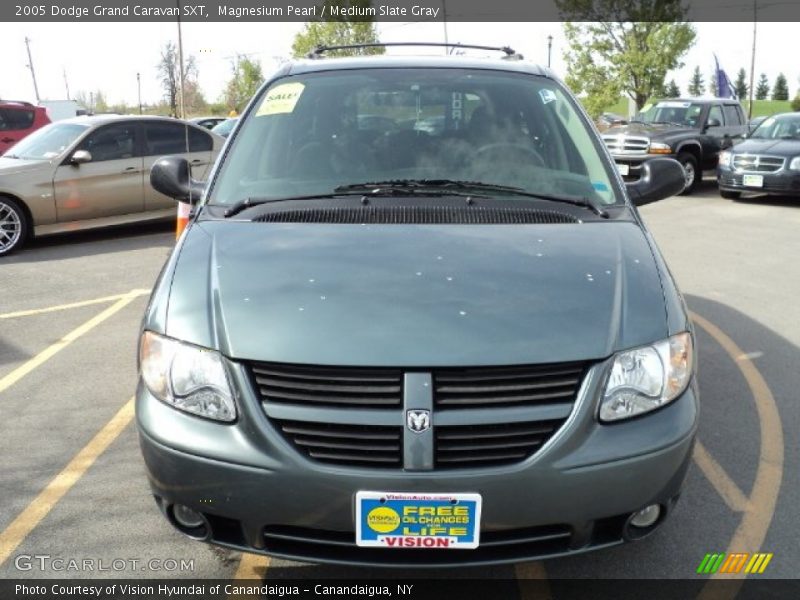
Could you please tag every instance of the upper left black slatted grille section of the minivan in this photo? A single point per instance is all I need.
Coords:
(326, 386)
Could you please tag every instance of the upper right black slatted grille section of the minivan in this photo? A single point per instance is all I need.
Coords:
(507, 386)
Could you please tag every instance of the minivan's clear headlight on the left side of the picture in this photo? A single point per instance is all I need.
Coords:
(186, 377)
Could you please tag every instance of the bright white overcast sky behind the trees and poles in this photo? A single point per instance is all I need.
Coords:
(107, 56)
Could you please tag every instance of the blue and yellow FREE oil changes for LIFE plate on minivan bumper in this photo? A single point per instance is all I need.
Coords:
(399, 520)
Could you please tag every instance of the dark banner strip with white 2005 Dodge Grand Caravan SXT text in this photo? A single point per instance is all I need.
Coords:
(396, 10)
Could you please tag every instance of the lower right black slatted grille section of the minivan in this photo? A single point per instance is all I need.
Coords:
(464, 446)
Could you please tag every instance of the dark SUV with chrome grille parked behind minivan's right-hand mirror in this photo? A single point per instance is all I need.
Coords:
(692, 131)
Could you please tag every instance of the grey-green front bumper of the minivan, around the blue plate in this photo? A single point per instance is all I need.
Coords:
(259, 494)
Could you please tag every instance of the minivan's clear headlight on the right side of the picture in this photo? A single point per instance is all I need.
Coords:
(646, 378)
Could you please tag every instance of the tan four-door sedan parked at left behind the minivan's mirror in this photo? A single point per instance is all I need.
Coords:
(91, 172)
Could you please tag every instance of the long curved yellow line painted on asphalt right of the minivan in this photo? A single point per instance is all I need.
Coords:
(752, 529)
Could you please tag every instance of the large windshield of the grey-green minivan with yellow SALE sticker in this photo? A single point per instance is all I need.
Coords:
(311, 134)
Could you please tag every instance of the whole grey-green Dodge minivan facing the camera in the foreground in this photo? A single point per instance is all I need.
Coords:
(416, 320)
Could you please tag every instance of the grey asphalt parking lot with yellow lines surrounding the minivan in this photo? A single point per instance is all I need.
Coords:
(73, 486)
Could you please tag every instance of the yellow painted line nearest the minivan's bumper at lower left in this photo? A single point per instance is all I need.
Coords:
(38, 509)
